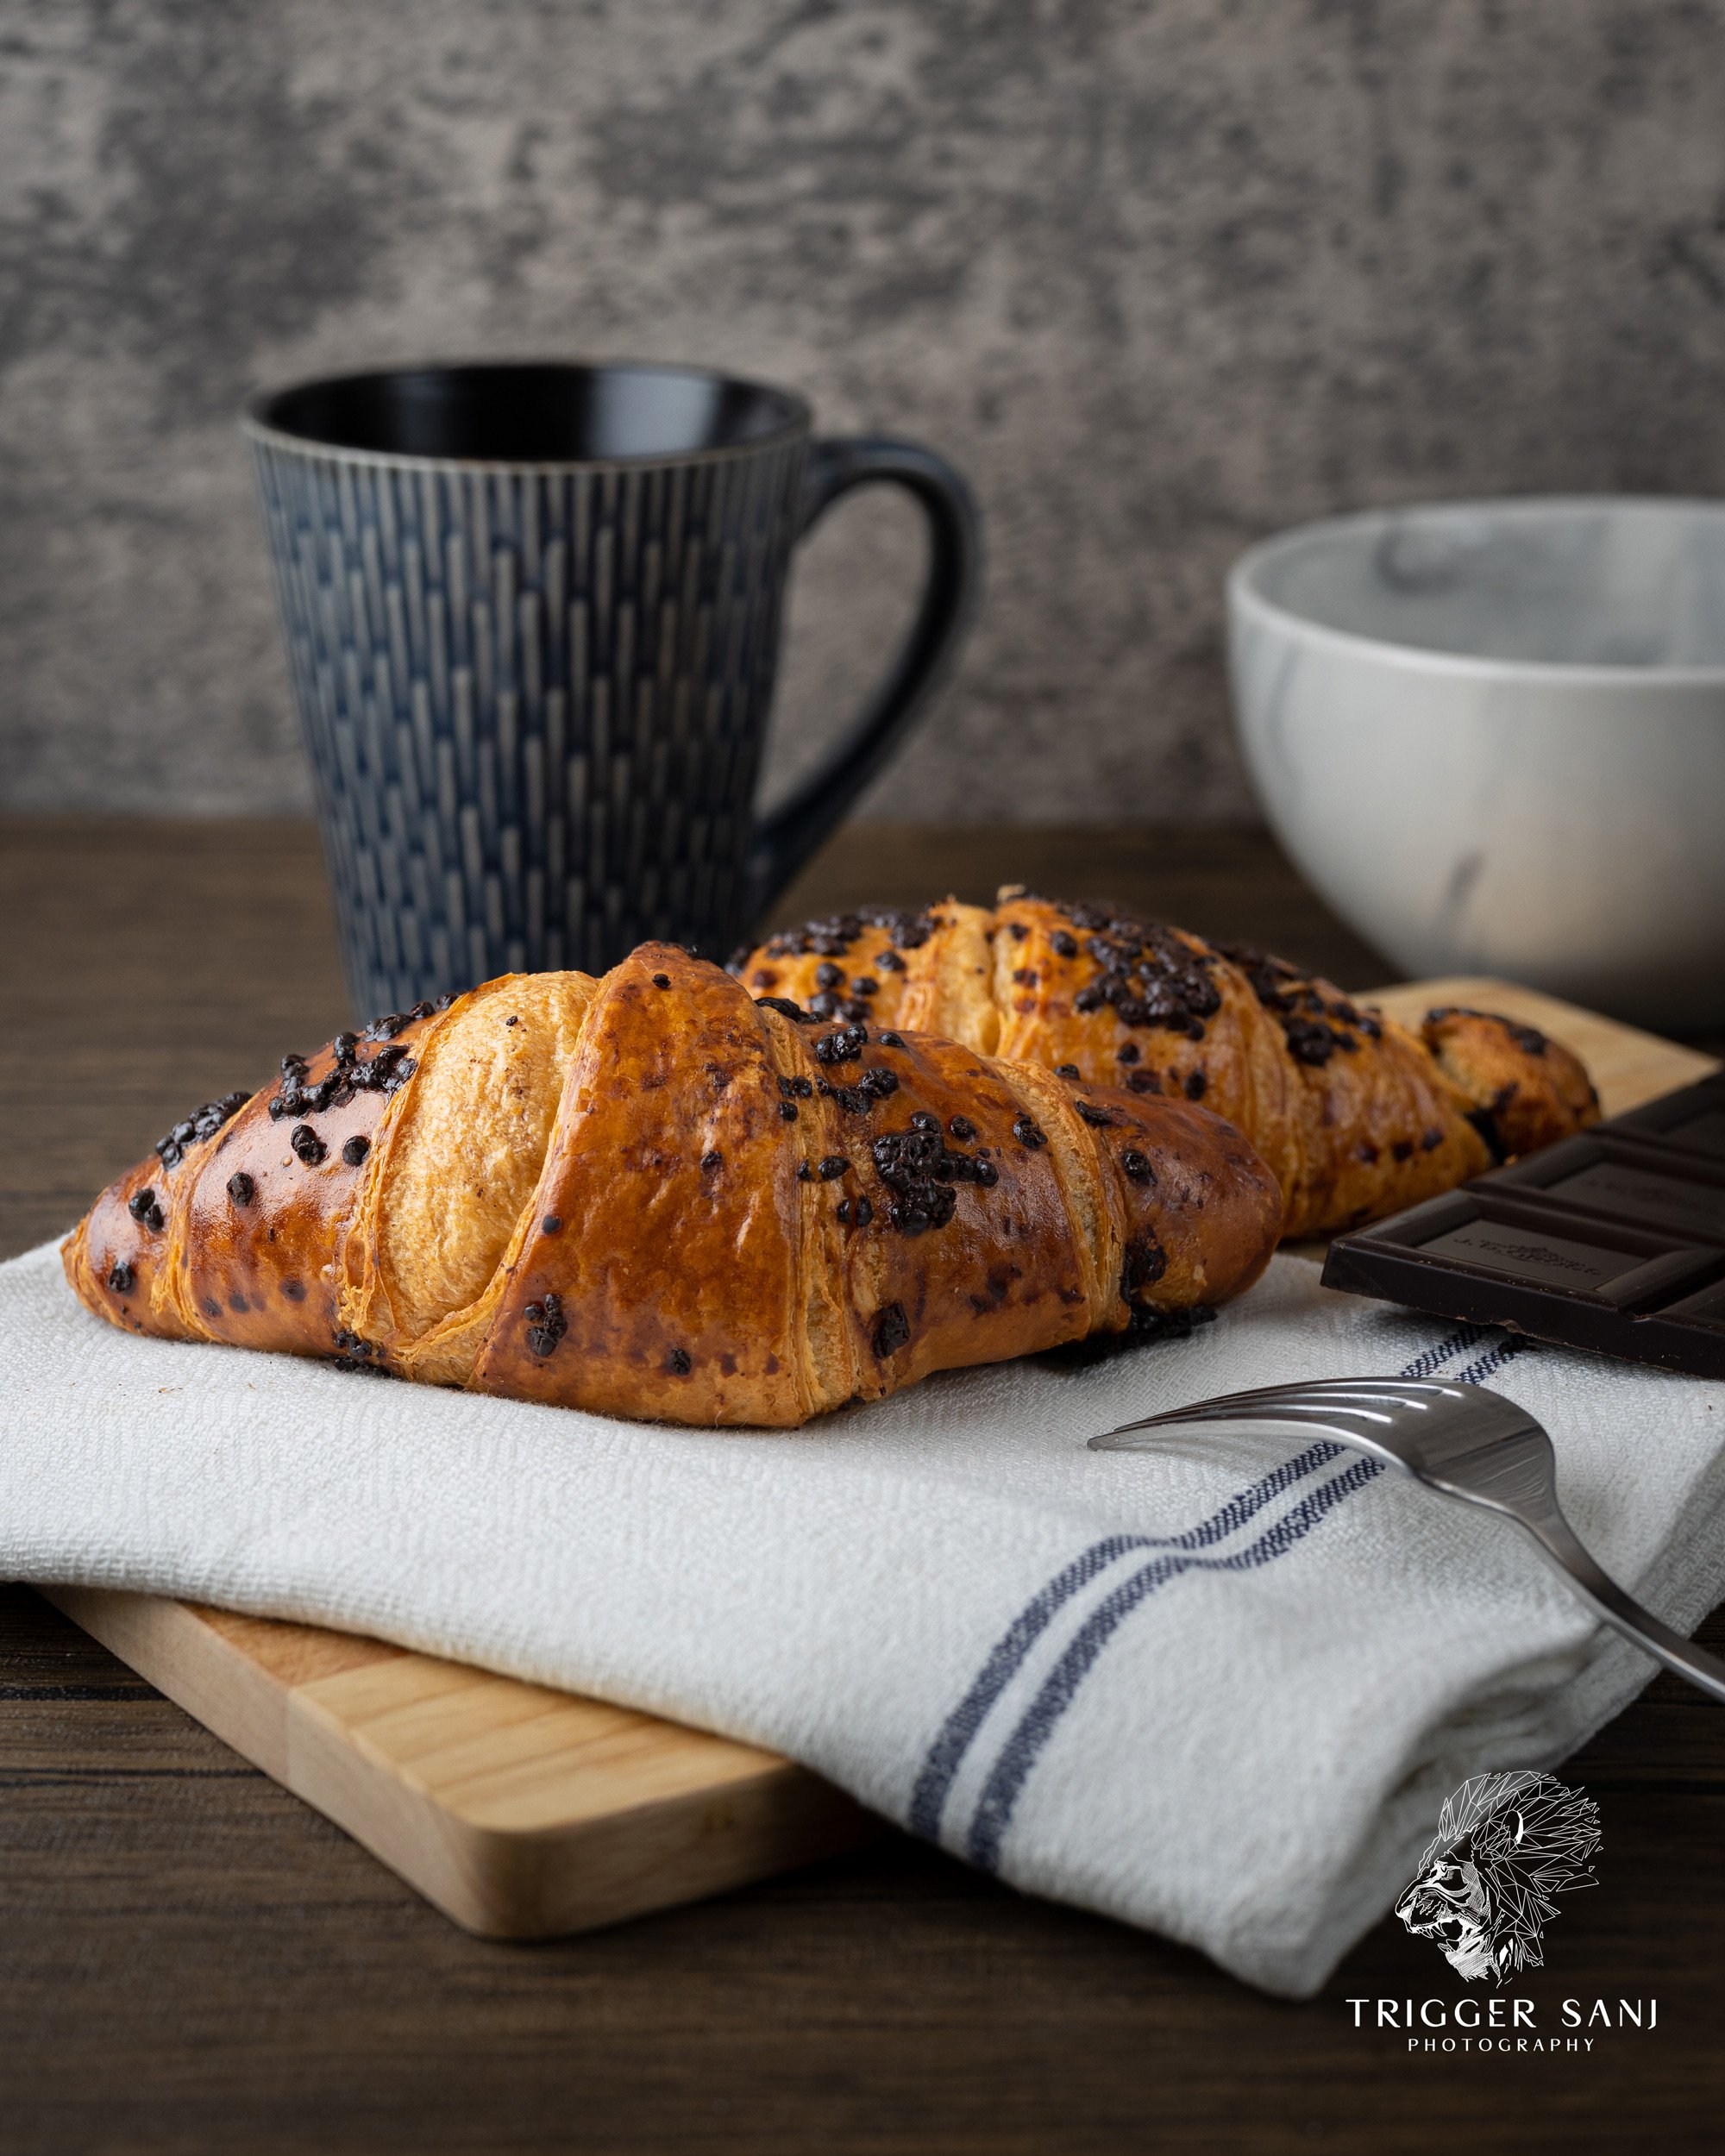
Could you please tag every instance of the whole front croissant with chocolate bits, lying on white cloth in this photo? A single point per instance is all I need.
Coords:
(652, 1196)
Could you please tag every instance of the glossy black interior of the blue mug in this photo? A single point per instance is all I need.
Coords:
(532, 413)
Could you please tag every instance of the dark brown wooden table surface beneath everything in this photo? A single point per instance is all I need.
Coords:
(195, 1961)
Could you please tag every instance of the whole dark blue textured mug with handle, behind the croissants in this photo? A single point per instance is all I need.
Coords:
(534, 620)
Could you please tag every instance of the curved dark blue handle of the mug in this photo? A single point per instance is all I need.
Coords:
(950, 596)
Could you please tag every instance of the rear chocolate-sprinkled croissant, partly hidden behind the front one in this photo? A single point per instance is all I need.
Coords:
(1355, 1116)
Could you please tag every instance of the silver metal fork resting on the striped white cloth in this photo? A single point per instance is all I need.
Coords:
(1457, 1439)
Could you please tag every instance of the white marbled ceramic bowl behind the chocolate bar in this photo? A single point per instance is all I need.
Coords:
(1493, 736)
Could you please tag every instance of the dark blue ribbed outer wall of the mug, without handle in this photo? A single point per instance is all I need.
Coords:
(536, 702)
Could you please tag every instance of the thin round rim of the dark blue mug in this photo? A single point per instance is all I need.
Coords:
(258, 428)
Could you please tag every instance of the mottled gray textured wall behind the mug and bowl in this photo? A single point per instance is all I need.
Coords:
(1161, 275)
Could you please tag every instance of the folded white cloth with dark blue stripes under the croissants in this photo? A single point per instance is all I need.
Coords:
(1219, 1689)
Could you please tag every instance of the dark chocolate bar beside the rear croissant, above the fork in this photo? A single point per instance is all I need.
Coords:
(1610, 1241)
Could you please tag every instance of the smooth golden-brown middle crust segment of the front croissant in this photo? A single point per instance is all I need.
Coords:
(659, 1275)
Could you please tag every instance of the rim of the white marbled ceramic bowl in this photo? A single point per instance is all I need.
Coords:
(1245, 598)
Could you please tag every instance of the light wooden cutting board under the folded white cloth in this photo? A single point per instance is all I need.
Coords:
(523, 1812)
